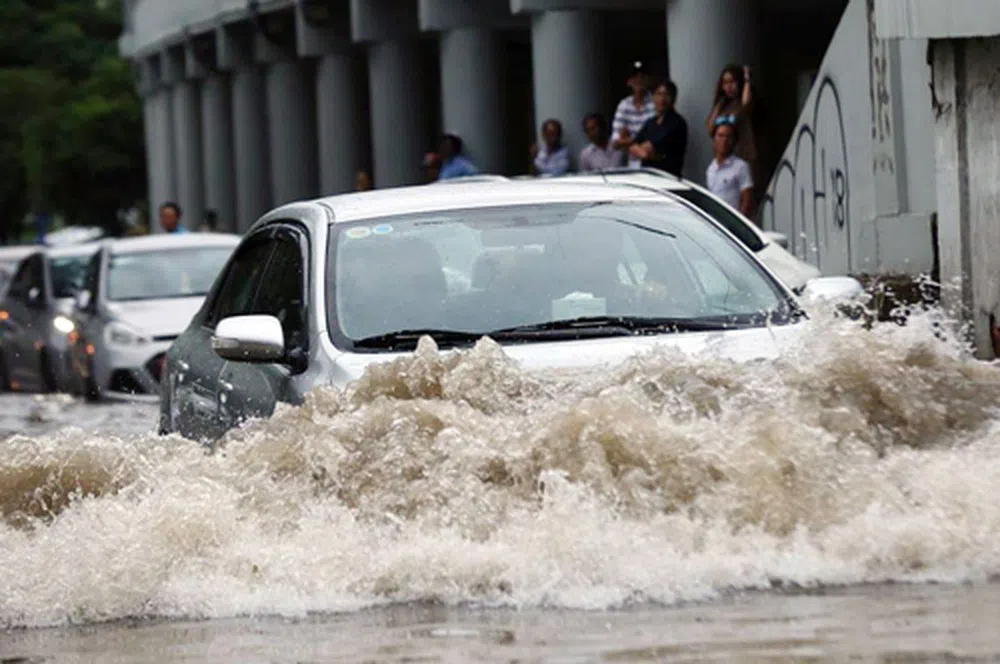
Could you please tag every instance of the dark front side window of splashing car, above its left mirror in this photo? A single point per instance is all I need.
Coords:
(281, 294)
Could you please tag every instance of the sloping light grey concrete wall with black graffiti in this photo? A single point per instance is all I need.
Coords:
(853, 189)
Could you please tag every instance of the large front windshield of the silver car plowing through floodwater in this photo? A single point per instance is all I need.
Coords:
(527, 272)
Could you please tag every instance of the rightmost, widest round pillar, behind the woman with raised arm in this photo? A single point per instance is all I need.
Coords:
(703, 36)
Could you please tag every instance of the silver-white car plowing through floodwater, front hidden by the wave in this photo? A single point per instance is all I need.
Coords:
(561, 275)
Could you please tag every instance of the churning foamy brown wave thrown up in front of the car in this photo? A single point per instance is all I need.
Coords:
(858, 456)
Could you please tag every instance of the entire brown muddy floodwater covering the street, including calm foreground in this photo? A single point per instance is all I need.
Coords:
(839, 503)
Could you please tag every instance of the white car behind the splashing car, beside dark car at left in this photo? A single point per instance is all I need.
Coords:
(140, 293)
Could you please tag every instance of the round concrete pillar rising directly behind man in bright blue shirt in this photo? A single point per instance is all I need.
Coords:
(472, 94)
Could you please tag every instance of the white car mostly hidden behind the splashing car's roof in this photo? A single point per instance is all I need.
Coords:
(771, 248)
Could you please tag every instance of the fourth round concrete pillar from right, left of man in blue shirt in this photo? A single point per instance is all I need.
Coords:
(398, 111)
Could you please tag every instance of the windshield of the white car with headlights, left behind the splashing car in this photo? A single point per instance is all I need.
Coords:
(151, 275)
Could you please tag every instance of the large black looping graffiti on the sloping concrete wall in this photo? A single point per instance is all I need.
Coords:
(810, 194)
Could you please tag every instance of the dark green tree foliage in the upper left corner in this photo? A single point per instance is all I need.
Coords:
(71, 137)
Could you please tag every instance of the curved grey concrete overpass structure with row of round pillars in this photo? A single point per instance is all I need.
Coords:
(252, 103)
